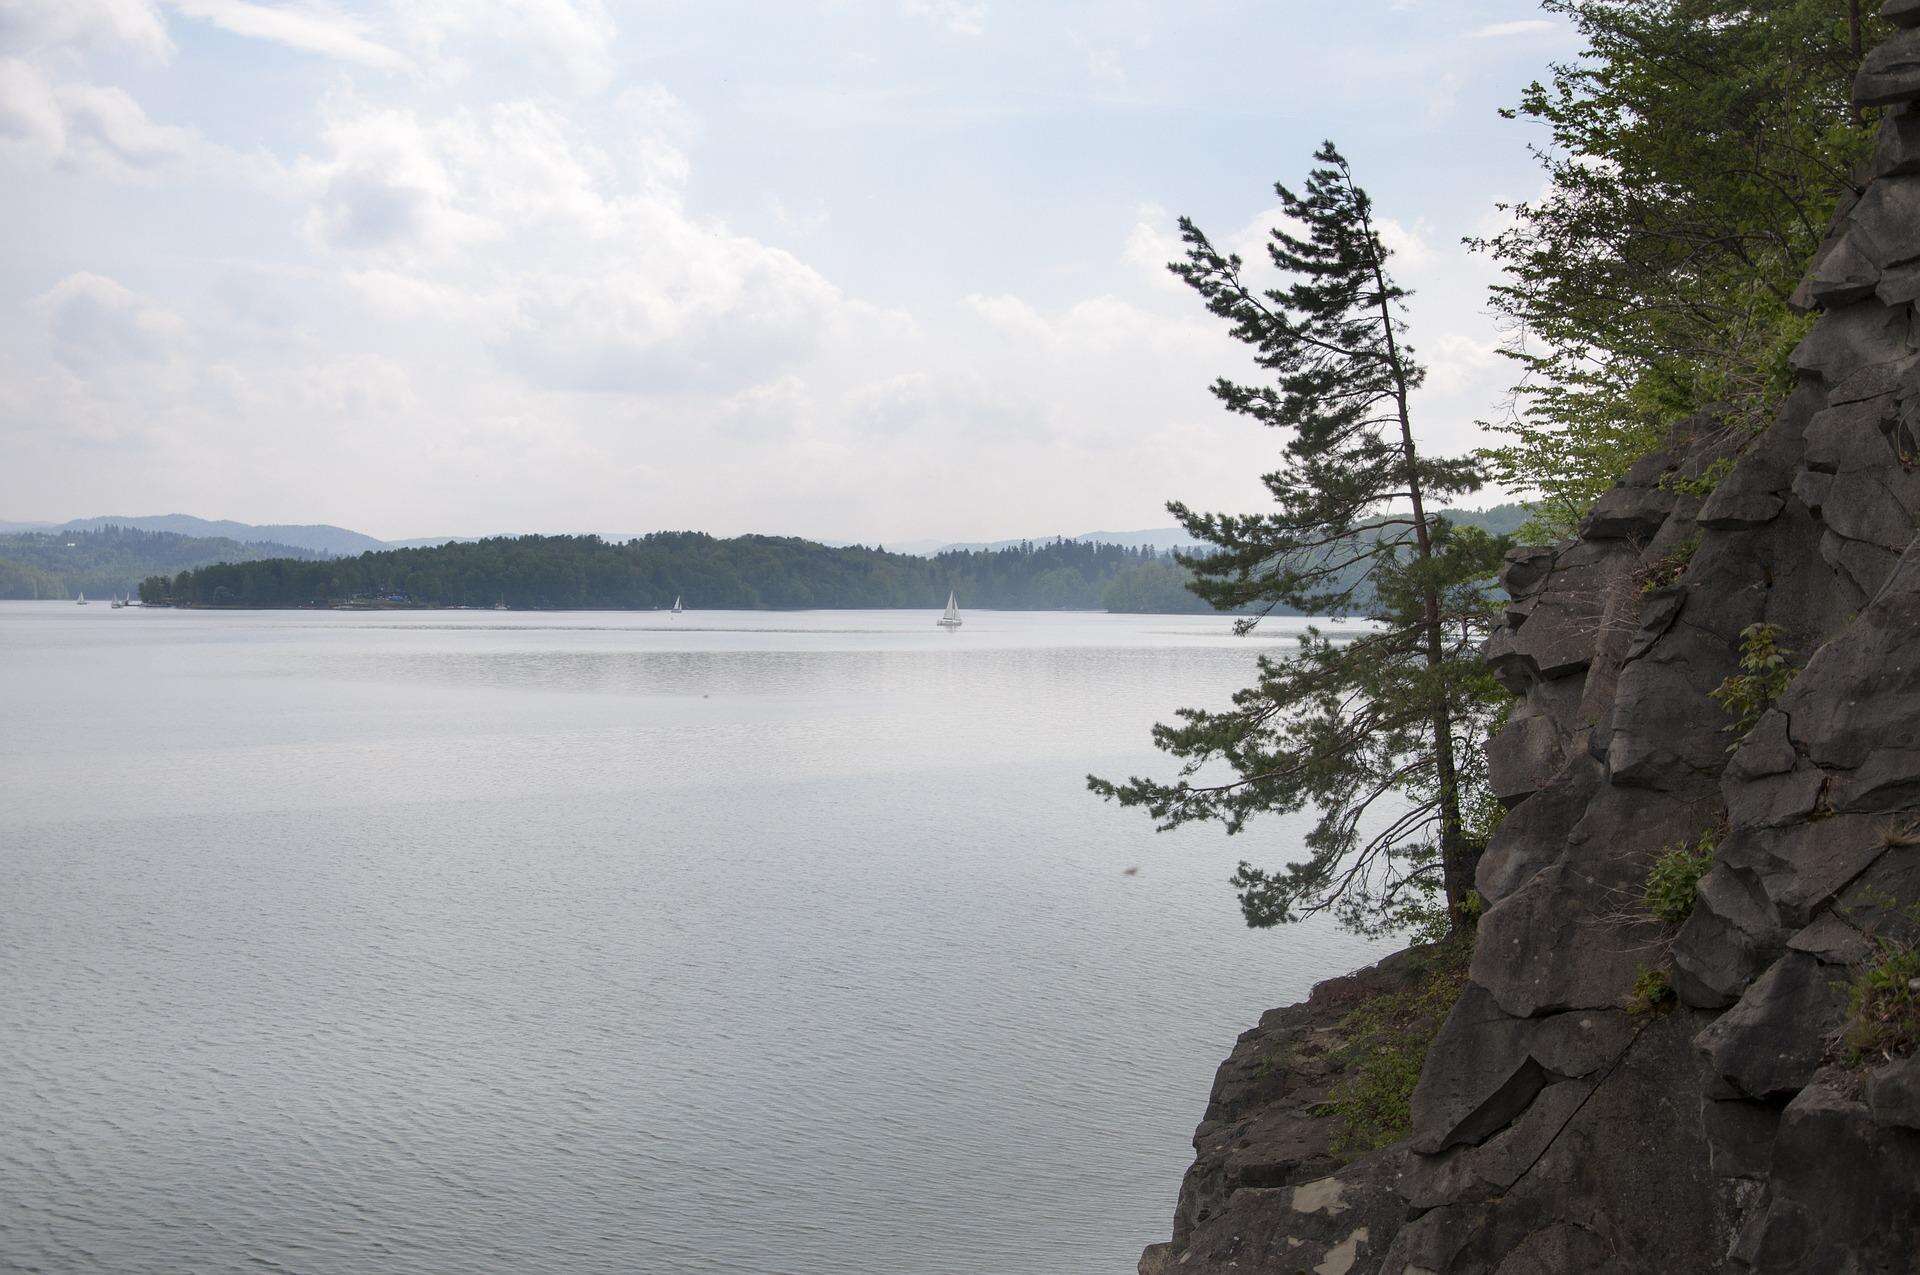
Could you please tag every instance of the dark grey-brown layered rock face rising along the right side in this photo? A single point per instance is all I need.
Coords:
(1552, 1130)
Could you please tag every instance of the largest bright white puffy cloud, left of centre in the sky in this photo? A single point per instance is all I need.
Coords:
(596, 277)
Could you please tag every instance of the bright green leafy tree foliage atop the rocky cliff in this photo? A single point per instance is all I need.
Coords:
(1692, 155)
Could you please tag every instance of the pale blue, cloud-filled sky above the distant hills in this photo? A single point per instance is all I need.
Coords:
(850, 270)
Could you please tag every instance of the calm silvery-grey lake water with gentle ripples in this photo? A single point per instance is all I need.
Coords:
(721, 944)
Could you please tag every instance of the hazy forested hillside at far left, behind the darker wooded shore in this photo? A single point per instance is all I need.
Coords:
(114, 560)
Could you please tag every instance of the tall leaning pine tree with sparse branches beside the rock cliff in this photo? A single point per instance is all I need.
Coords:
(1378, 731)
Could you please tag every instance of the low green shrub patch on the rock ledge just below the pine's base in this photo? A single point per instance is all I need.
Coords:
(1385, 1047)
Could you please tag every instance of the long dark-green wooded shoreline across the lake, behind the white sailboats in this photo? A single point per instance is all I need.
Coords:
(742, 573)
